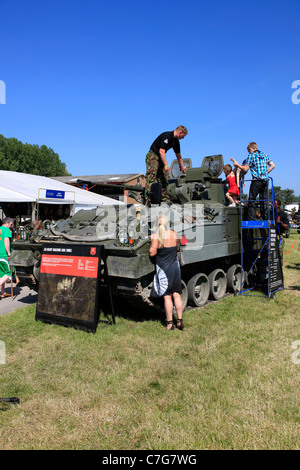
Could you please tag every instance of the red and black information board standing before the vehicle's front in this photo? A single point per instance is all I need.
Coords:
(68, 287)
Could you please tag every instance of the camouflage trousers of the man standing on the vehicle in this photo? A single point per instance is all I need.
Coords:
(156, 173)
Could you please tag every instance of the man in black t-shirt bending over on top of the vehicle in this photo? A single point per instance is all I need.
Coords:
(156, 161)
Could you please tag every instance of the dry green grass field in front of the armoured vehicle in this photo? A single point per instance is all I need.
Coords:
(226, 382)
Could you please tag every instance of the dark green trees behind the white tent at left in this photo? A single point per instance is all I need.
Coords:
(28, 158)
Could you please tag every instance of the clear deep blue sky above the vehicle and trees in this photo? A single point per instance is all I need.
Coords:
(97, 81)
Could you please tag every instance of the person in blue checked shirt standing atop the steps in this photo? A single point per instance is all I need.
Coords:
(260, 166)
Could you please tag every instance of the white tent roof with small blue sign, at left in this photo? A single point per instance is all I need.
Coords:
(22, 187)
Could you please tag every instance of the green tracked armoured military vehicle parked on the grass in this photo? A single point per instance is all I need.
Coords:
(208, 229)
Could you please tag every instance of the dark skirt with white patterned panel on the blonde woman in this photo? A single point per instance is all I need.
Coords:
(167, 278)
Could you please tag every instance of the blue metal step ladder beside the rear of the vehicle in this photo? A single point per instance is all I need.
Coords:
(261, 266)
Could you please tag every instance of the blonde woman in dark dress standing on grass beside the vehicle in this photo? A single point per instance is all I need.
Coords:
(167, 278)
